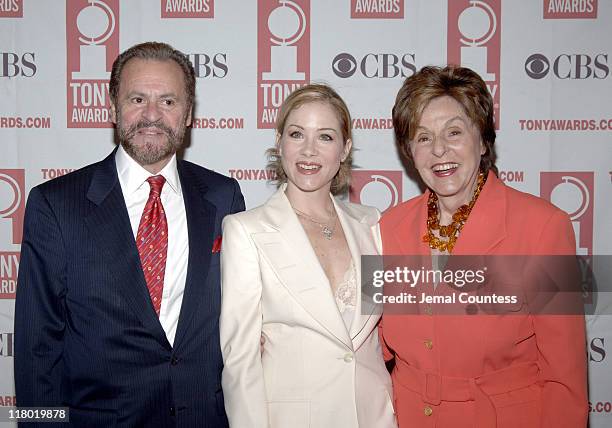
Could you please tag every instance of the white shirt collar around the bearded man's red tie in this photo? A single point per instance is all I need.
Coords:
(132, 175)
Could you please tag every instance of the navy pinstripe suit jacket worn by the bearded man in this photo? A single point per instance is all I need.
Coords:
(86, 333)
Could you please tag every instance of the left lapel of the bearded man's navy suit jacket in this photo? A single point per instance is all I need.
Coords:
(110, 227)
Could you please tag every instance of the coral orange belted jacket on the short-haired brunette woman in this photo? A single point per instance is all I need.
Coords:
(523, 370)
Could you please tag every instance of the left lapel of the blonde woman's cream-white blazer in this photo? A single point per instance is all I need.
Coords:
(295, 263)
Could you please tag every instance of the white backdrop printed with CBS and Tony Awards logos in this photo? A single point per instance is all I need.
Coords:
(547, 64)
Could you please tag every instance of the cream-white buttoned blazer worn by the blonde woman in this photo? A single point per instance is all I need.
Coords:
(313, 372)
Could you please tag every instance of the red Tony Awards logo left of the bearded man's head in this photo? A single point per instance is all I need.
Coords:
(92, 44)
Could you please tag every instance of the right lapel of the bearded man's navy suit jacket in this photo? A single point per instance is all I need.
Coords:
(200, 228)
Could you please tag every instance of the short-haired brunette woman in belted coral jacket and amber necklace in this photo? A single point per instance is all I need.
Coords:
(475, 371)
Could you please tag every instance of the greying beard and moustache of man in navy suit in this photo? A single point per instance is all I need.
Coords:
(150, 153)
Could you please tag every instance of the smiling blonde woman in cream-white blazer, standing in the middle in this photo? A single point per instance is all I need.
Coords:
(291, 272)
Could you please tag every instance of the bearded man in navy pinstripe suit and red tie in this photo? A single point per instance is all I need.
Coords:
(118, 295)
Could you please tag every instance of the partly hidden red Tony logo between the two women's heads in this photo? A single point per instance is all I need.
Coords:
(380, 189)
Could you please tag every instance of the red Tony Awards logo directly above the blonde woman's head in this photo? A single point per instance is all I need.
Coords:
(283, 47)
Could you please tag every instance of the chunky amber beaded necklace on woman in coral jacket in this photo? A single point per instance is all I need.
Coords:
(451, 232)
